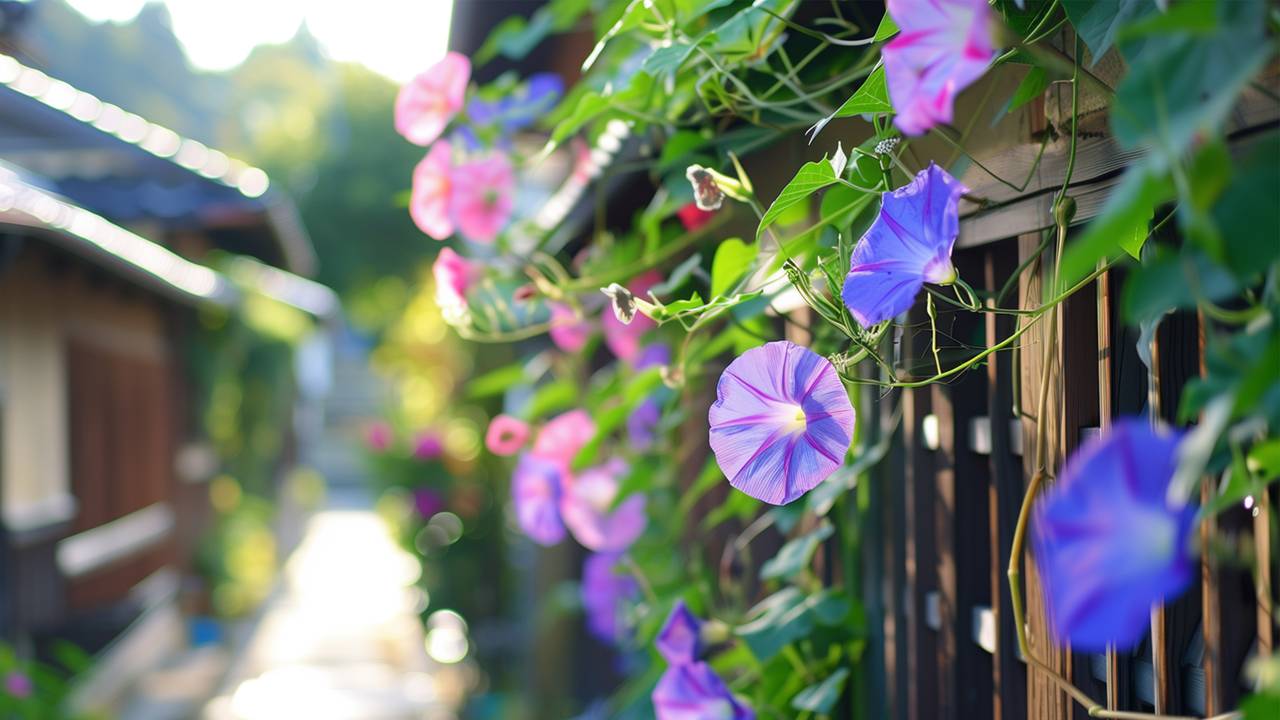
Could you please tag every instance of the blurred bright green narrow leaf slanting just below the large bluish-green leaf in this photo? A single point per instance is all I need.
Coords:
(1127, 212)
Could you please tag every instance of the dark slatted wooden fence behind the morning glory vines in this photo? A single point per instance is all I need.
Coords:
(948, 498)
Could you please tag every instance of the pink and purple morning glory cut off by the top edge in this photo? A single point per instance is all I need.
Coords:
(944, 47)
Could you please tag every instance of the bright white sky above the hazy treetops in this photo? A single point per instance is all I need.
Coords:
(395, 38)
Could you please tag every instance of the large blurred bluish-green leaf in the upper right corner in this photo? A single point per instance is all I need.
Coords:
(1188, 83)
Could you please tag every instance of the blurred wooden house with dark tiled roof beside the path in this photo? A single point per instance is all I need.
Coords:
(107, 224)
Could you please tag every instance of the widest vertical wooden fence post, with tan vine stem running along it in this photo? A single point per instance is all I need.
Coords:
(1007, 494)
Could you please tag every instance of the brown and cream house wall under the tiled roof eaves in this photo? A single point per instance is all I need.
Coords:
(90, 426)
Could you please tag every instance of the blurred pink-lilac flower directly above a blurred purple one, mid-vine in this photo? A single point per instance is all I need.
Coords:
(587, 508)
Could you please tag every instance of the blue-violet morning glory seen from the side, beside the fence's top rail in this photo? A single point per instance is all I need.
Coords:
(907, 247)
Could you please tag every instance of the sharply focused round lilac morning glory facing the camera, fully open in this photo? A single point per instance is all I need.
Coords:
(781, 422)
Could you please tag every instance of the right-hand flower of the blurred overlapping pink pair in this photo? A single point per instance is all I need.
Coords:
(482, 198)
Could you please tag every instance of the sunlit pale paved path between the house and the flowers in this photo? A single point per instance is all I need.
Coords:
(341, 640)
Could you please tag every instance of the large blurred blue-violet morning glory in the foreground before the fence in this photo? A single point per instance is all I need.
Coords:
(1109, 545)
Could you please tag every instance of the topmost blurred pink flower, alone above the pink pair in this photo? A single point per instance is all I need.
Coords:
(431, 101)
